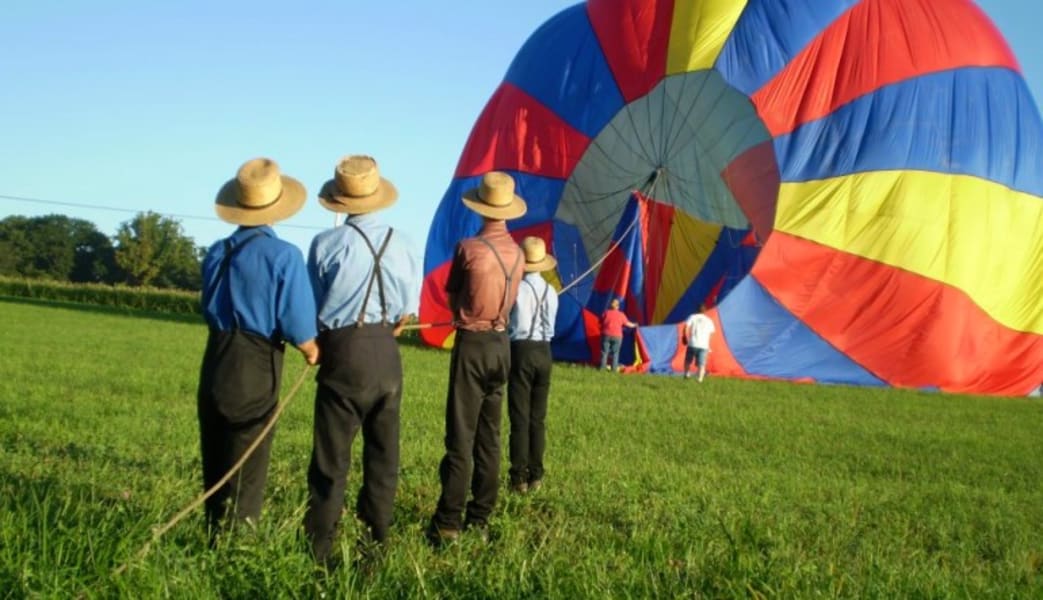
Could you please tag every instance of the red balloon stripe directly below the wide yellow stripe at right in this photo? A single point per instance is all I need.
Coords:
(912, 331)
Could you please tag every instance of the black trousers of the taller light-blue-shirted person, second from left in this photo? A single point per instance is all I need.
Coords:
(359, 388)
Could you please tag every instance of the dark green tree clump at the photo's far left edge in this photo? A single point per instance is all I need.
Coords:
(56, 247)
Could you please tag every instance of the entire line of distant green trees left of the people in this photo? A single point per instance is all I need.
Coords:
(150, 250)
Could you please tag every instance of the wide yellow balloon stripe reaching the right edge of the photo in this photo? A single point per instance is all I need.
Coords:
(887, 218)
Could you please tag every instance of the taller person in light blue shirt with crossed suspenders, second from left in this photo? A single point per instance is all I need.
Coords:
(368, 282)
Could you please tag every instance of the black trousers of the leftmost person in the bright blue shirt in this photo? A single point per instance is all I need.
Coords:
(239, 385)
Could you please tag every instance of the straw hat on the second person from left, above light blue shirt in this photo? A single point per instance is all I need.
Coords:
(357, 187)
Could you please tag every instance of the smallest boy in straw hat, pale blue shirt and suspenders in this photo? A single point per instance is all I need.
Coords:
(531, 330)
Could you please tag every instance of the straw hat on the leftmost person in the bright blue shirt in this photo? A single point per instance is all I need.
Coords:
(259, 196)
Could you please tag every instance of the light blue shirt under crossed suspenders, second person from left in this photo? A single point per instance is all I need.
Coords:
(341, 266)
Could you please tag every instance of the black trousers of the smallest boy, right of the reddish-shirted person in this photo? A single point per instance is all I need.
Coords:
(527, 392)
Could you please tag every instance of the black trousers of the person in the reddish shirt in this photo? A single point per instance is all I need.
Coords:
(478, 371)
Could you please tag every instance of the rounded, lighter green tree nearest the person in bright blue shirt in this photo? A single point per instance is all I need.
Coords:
(154, 251)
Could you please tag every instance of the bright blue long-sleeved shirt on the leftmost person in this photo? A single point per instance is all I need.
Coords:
(264, 292)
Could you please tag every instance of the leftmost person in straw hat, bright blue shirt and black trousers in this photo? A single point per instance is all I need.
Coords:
(256, 296)
